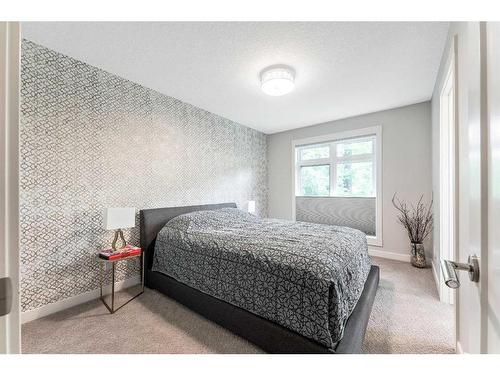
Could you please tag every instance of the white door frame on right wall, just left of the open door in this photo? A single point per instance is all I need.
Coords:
(448, 166)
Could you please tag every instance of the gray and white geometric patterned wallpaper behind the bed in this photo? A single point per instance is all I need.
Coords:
(90, 140)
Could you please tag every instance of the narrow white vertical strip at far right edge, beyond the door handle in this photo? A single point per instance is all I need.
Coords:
(493, 270)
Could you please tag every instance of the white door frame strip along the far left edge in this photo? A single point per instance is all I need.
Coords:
(9, 187)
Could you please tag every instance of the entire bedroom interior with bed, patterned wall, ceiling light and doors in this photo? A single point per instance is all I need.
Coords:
(249, 187)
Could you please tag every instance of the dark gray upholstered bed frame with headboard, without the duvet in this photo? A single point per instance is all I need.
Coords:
(269, 336)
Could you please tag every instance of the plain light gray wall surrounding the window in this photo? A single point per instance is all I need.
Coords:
(406, 163)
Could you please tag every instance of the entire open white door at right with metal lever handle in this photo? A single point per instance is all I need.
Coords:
(478, 303)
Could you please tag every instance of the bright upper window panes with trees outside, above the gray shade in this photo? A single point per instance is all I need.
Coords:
(340, 168)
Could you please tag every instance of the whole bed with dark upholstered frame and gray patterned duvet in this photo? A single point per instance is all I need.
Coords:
(335, 325)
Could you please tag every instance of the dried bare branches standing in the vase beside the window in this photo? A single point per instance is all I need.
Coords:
(417, 220)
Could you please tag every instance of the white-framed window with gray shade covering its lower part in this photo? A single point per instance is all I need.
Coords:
(342, 165)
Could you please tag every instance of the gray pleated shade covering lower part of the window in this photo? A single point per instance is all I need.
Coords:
(358, 213)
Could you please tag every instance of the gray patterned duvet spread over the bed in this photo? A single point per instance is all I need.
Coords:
(306, 277)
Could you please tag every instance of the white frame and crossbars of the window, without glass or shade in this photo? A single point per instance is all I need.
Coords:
(374, 131)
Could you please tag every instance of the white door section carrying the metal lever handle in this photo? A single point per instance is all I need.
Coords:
(471, 172)
